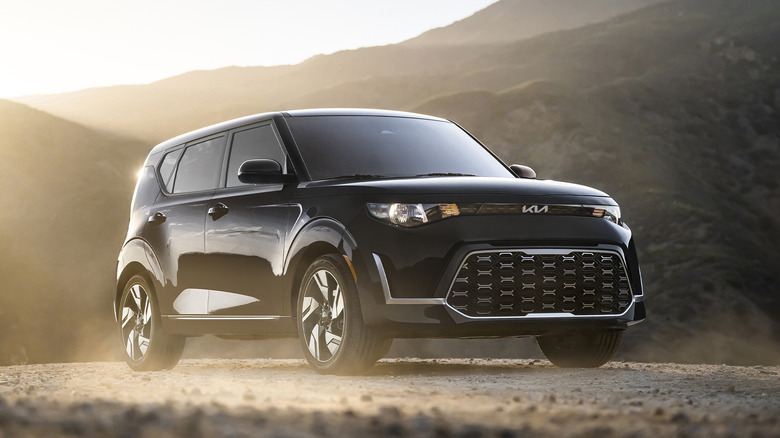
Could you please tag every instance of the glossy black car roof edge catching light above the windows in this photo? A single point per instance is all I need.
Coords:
(230, 124)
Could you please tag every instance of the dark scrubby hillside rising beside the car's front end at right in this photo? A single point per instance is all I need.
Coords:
(688, 141)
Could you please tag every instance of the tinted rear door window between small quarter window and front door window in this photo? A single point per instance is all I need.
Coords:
(199, 166)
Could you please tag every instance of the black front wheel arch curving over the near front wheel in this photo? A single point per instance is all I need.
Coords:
(317, 238)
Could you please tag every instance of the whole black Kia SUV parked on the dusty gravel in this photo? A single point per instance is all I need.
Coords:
(348, 228)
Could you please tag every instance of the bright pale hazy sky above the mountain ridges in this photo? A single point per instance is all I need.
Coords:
(50, 46)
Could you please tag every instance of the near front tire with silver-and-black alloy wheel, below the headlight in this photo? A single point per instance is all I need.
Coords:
(330, 324)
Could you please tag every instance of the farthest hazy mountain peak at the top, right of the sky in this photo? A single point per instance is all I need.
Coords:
(514, 20)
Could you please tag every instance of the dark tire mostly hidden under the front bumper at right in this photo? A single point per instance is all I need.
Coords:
(589, 349)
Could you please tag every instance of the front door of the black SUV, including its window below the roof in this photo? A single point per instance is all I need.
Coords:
(245, 231)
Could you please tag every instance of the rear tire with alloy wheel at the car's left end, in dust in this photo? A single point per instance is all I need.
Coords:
(146, 346)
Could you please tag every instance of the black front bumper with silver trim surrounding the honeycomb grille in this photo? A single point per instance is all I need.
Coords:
(423, 306)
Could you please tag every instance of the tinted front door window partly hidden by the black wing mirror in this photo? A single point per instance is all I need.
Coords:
(260, 142)
